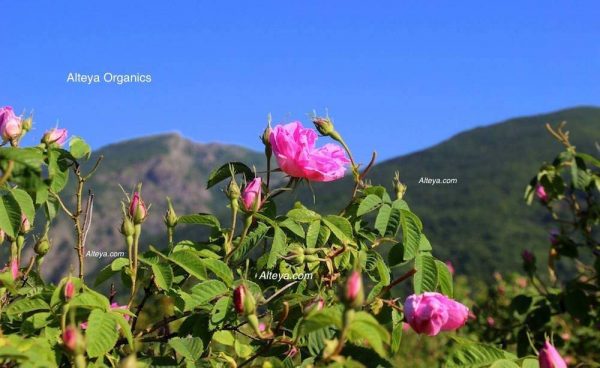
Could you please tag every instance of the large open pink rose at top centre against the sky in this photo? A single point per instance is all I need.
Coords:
(295, 152)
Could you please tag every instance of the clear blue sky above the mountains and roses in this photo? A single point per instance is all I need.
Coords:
(396, 76)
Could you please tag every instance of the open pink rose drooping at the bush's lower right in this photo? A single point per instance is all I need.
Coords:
(429, 313)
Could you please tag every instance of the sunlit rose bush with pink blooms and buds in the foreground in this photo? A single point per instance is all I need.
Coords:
(218, 311)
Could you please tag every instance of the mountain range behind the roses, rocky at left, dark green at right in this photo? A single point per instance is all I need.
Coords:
(479, 223)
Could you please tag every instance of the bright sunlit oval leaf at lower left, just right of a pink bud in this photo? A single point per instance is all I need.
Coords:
(101, 334)
